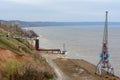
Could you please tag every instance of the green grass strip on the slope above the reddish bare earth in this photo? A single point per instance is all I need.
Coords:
(15, 45)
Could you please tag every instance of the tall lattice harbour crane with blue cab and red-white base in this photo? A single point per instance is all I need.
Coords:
(104, 61)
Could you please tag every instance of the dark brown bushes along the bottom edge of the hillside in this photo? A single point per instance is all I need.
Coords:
(31, 74)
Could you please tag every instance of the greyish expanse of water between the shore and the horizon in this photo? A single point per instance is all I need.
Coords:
(82, 42)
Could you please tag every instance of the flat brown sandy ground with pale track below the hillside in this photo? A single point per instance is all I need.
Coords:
(74, 69)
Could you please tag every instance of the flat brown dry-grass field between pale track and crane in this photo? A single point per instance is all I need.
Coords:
(77, 69)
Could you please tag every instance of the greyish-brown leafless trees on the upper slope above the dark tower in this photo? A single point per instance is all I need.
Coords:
(16, 30)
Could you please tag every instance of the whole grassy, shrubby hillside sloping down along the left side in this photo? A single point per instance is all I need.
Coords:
(18, 58)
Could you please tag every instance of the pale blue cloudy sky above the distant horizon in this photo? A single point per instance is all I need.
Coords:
(59, 10)
